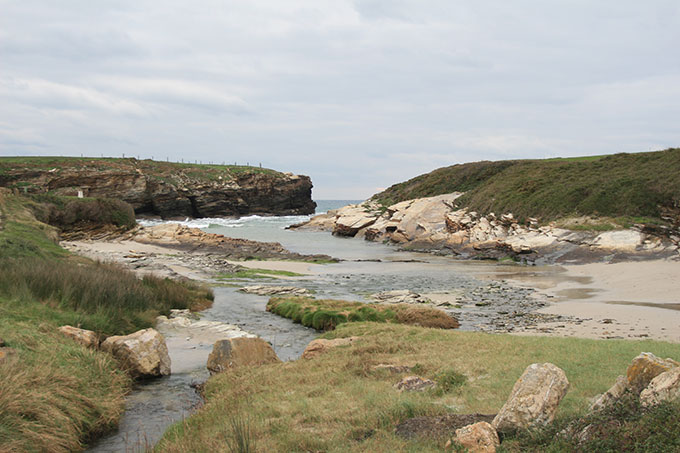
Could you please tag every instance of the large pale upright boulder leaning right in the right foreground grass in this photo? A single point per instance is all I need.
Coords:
(534, 398)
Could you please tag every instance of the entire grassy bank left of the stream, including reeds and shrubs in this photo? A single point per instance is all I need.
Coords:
(54, 393)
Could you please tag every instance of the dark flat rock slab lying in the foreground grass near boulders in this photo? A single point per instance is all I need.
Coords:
(439, 427)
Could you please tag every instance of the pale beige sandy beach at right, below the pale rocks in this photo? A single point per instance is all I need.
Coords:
(623, 300)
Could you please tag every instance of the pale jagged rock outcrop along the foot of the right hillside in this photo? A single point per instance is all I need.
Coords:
(437, 224)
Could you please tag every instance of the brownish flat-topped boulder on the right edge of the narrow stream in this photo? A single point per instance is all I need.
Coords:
(242, 351)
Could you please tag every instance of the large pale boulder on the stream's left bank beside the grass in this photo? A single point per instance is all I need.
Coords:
(144, 353)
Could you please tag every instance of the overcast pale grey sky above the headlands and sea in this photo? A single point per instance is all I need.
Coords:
(358, 94)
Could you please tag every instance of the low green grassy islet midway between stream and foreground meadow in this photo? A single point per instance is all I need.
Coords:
(326, 314)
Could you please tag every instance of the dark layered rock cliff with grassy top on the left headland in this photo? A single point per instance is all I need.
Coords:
(165, 189)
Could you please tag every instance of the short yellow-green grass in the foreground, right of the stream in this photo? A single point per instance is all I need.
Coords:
(336, 403)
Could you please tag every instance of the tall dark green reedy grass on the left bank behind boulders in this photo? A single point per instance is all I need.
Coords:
(108, 298)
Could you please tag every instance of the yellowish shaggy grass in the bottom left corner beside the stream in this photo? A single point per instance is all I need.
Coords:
(54, 393)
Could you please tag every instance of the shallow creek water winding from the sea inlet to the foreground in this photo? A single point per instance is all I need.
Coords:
(368, 268)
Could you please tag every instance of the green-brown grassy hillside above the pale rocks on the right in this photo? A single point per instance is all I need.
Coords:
(620, 185)
